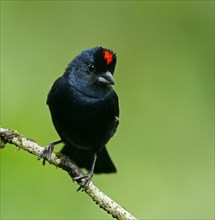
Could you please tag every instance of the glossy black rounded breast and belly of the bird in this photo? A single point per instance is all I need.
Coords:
(84, 121)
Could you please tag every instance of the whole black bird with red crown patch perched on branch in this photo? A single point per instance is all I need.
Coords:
(85, 112)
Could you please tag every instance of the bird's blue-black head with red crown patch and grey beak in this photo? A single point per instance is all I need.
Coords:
(94, 66)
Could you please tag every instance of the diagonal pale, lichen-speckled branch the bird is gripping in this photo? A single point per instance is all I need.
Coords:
(59, 160)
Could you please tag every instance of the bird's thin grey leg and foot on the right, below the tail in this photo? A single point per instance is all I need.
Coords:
(86, 178)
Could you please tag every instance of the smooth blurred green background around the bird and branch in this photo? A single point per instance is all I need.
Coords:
(163, 148)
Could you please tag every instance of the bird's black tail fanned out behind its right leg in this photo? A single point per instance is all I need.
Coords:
(84, 159)
